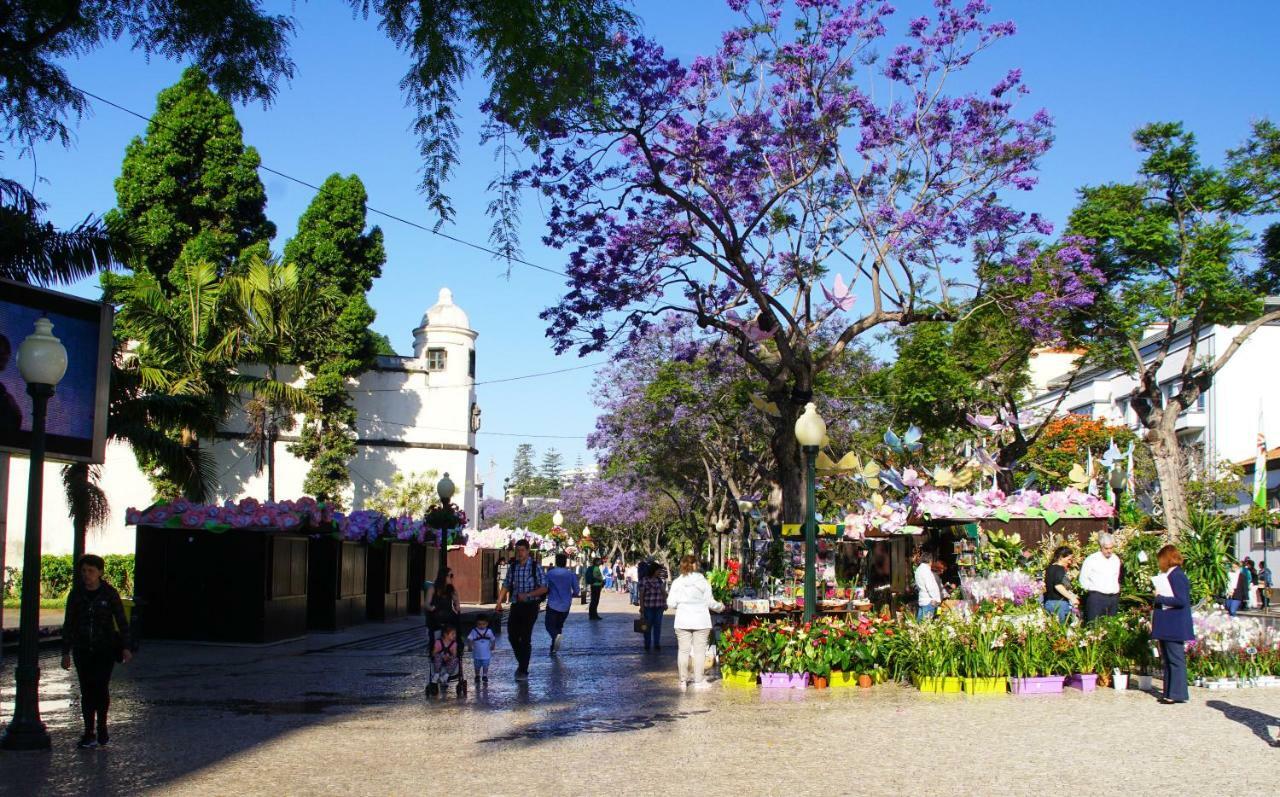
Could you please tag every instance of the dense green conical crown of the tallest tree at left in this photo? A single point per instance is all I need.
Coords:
(190, 187)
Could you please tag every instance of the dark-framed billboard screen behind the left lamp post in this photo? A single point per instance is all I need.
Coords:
(76, 427)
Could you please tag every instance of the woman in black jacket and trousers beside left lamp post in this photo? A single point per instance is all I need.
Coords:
(95, 636)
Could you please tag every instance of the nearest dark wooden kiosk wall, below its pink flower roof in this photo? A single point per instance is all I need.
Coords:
(243, 585)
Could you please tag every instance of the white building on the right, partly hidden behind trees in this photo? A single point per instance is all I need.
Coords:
(1222, 427)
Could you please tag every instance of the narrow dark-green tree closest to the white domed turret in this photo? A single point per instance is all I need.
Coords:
(333, 250)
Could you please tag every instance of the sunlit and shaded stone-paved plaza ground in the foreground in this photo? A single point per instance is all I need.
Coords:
(346, 714)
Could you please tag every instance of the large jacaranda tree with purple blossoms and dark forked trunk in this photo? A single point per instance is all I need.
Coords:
(810, 145)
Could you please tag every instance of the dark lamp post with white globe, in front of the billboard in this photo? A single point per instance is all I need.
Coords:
(43, 363)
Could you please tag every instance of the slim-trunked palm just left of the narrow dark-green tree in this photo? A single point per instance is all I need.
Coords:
(277, 313)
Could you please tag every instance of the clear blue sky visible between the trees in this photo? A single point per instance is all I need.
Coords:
(1100, 68)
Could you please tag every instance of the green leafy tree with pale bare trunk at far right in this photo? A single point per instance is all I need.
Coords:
(1176, 251)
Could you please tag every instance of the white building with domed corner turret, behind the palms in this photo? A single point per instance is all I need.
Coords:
(415, 415)
